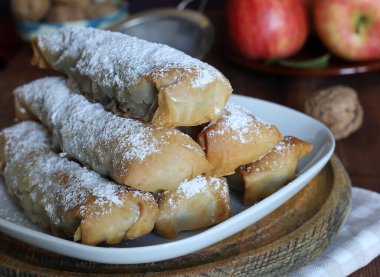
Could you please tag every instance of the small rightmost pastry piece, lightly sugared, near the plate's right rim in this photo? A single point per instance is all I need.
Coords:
(270, 172)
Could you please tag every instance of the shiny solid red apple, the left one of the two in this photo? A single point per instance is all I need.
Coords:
(263, 29)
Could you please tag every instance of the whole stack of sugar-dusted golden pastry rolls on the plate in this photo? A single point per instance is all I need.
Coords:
(114, 119)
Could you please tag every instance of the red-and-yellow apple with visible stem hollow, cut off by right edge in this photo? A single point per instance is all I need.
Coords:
(350, 29)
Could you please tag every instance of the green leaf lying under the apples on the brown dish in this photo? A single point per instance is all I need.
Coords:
(319, 62)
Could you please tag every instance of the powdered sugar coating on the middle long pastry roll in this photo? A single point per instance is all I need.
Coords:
(89, 133)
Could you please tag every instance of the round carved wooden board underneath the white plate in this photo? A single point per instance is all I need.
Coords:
(283, 241)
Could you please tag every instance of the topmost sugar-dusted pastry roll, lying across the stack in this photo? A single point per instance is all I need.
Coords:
(135, 78)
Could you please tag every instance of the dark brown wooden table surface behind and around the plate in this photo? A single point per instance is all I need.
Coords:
(359, 152)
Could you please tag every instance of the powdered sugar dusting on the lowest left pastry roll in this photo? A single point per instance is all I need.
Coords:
(55, 183)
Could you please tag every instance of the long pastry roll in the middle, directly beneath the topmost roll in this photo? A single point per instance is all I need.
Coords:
(133, 153)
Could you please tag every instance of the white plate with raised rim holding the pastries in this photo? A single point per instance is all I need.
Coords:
(152, 248)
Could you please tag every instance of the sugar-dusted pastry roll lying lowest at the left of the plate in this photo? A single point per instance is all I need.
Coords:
(70, 200)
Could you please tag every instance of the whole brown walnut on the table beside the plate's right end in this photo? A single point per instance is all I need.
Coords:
(339, 108)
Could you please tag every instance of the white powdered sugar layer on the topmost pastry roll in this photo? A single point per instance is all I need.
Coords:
(118, 59)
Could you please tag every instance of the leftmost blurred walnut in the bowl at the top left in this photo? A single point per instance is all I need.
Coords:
(30, 10)
